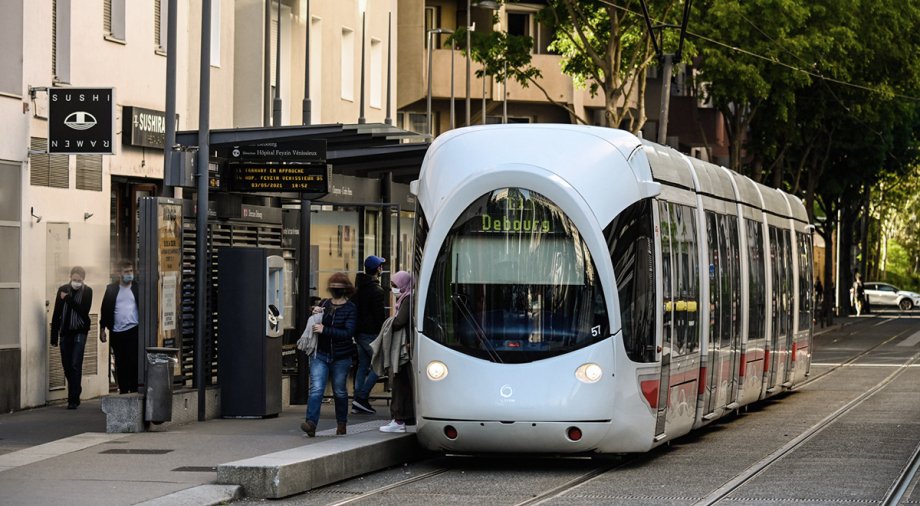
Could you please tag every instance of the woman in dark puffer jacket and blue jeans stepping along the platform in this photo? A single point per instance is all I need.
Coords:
(335, 346)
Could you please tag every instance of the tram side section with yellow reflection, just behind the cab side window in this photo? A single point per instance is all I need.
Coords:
(680, 327)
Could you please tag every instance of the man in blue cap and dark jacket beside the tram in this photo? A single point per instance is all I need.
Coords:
(370, 299)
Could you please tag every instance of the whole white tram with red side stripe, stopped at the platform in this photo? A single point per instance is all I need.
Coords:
(580, 290)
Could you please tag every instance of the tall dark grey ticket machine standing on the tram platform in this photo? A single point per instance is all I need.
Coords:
(251, 316)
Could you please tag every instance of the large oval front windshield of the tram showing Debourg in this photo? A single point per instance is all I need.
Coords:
(514, 282)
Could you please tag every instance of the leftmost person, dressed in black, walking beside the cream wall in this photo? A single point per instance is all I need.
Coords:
(69, 326)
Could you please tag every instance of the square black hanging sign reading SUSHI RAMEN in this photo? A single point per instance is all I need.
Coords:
(80, 120)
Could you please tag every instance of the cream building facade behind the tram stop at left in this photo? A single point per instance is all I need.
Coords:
(57, 211)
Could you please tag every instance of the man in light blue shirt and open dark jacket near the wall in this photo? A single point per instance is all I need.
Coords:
(119, 316)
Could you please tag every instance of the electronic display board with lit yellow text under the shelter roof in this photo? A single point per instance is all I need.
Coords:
(302, 178)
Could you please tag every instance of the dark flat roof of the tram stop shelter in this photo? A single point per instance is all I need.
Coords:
(364, 150)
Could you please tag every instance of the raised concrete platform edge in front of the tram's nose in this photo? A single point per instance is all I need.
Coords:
(365, 449)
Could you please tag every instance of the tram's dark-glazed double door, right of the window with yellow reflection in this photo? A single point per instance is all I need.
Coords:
(722, 373)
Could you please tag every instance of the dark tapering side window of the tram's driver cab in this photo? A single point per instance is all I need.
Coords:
(631, 242)
